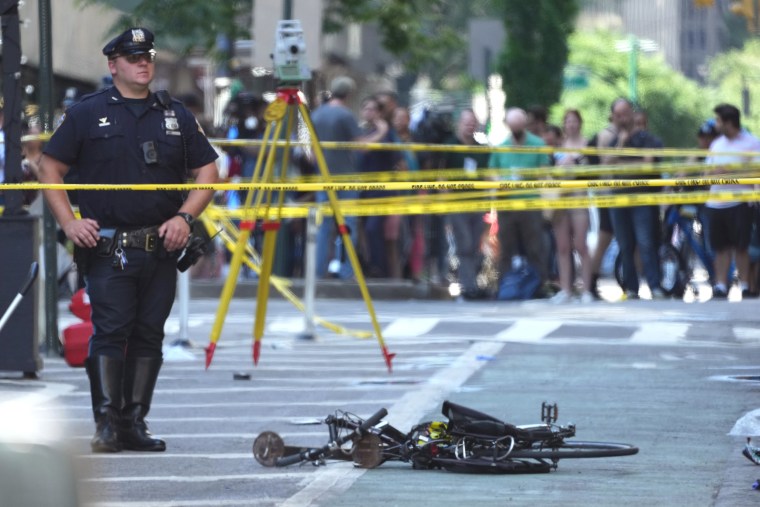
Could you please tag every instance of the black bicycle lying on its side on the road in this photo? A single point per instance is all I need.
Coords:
(470, 442)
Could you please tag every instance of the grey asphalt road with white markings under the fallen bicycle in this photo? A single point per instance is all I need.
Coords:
(659, 375)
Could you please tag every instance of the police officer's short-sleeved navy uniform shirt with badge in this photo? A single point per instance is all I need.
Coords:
(106, 142)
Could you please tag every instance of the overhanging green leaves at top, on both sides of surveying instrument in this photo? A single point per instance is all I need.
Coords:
(428, 36)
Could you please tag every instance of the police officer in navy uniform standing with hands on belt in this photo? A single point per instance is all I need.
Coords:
(127, 241)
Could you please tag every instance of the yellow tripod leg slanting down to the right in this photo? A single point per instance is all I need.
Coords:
(346, 237)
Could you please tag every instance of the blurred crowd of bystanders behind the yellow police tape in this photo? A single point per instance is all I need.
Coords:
(456, 247)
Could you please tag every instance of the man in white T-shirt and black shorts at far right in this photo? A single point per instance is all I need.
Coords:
(730, 222)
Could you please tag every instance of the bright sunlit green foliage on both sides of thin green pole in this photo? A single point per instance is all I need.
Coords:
(676, 106)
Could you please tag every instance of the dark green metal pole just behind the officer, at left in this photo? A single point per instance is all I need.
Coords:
(52, 344)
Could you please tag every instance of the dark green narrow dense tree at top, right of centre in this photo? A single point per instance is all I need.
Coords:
(536, 49)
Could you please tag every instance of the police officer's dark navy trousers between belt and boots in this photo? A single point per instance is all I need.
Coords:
(130, 306)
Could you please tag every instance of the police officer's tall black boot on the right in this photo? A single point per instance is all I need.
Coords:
(139, 380)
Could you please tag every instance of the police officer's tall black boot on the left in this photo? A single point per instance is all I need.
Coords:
(105, 388)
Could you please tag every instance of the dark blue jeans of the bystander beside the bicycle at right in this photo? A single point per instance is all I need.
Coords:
(638, 226)
